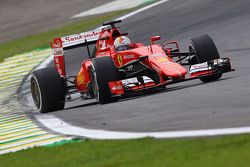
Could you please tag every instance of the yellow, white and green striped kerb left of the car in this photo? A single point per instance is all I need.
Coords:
(17, 131)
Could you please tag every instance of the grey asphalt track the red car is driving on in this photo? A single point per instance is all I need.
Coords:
(190, 105)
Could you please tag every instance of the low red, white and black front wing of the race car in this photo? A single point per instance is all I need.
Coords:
(127, 86)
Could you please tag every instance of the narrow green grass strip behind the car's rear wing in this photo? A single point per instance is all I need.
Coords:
(41, 40)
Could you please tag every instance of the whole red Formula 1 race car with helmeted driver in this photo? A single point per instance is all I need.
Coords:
(118, 68)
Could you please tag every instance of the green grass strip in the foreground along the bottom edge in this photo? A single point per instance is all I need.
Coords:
(228, 151)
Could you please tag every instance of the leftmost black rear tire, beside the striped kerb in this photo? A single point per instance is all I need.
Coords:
(48, 90)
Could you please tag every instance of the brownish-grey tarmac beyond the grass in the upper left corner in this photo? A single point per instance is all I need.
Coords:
(26, 17)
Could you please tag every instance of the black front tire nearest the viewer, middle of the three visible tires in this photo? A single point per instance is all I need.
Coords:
(103, 70)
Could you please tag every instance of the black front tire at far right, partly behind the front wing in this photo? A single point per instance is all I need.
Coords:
(205, 50)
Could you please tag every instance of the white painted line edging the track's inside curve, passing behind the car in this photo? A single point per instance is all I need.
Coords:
(58, 125)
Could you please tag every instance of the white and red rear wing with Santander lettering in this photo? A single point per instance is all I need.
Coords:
(58, 46)
